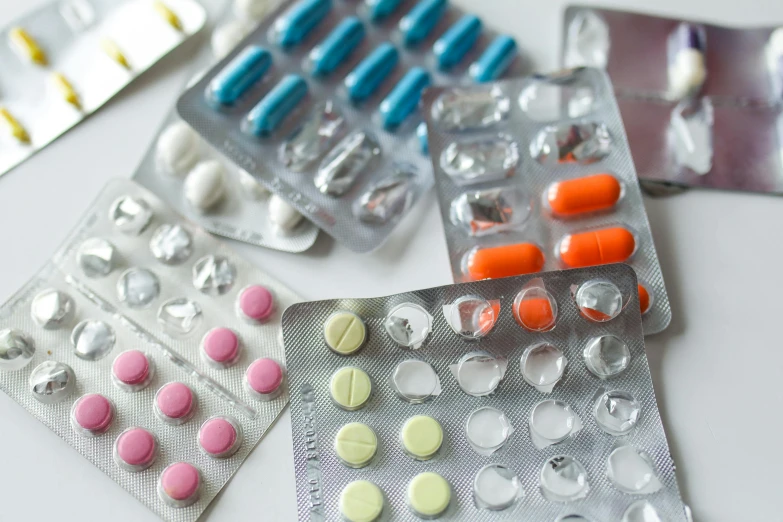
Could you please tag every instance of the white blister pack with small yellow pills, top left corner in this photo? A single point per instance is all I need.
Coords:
(63, 61)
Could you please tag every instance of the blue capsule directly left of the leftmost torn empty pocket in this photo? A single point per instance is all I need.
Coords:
(278, 103)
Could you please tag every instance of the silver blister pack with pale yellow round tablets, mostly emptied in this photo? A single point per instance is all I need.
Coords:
(512, 453)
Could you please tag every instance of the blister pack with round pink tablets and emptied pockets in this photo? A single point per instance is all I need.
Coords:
(151, 348)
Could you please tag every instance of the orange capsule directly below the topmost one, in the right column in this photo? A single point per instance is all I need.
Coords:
(597, 247)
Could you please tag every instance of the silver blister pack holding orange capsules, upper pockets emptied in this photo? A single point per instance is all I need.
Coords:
(546, 183)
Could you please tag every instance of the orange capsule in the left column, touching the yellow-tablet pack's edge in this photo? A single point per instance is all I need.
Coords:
(504, 261)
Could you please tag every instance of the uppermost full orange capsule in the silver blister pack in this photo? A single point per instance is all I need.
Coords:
(592, 193)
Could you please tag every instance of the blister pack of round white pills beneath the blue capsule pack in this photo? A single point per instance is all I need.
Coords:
(200, 182)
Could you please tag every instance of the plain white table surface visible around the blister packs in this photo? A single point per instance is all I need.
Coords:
(717, 369)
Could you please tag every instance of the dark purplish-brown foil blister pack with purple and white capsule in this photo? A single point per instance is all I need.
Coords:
(702, 104)
